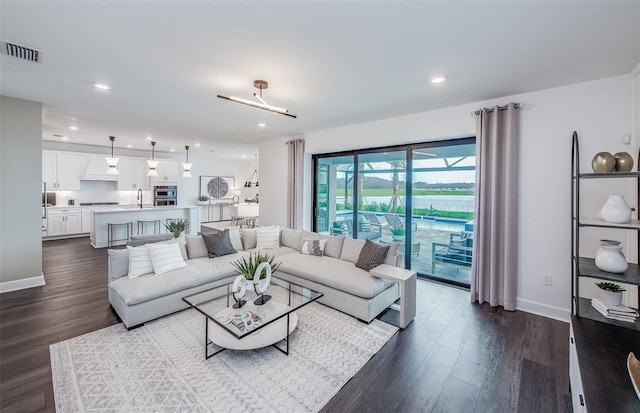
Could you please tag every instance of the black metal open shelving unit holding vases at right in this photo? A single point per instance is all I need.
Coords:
(585, 267)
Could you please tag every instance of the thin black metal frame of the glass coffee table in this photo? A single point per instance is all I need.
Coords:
(292, 289)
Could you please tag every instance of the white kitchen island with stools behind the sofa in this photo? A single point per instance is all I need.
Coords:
(99, 235)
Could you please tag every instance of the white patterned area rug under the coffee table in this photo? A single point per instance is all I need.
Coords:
(160, 367)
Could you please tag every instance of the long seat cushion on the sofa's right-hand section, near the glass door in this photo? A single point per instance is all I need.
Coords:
(334, 273)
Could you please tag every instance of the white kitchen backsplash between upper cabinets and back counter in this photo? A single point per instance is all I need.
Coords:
(101, 191)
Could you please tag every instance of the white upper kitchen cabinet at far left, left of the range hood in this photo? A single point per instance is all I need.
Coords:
(61, 171)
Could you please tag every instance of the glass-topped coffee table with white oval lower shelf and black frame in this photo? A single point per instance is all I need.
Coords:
(252, 326)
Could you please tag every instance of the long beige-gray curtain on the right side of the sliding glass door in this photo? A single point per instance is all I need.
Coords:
(494, 267)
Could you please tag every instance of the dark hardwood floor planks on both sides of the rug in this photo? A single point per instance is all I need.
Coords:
(455, 356)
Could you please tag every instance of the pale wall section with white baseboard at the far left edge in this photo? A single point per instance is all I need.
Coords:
(20, 193)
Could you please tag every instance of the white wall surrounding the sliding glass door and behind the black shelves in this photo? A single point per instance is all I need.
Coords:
(600, 111)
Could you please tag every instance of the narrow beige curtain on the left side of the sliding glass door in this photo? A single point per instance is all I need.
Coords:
(295, 176)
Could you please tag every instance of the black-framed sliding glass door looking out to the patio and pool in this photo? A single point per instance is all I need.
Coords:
(420, 196)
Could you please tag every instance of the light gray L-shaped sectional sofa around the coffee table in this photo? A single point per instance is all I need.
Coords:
(346, 287)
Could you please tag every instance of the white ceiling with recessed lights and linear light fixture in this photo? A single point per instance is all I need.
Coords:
(329, 63)
